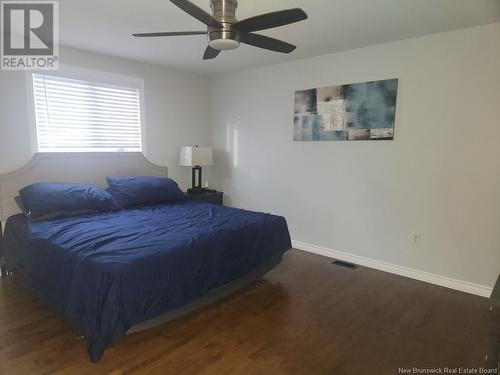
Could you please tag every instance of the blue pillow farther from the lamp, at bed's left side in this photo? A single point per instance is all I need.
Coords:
(45, 201)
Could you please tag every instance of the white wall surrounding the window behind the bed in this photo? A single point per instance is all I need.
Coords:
(176, 110)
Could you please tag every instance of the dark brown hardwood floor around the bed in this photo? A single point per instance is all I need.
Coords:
(306, 317)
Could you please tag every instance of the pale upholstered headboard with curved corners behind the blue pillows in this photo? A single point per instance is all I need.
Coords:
(91, 168)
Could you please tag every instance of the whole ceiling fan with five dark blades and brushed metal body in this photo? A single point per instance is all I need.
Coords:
(225, 32)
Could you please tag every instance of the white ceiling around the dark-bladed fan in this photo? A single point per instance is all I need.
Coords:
(106, 26)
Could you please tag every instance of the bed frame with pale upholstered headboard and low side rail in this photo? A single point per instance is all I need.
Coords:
(93, 168)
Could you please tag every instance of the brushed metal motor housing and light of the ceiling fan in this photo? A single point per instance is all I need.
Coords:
(227, 38)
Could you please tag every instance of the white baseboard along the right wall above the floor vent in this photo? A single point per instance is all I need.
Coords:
(412, 273)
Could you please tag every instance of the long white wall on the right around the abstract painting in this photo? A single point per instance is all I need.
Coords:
(440, 177)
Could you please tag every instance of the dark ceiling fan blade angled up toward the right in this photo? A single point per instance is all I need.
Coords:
(271, 20)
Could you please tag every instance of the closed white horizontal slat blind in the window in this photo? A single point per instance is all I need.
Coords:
(81, 116)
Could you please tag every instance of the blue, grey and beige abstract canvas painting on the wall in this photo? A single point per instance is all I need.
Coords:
(355, 112)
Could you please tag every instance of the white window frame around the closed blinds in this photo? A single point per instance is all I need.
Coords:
(73, 72)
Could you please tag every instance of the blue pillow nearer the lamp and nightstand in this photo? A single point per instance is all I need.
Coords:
(137, 191)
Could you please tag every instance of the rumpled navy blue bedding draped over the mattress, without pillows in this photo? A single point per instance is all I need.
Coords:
(109, 271)
